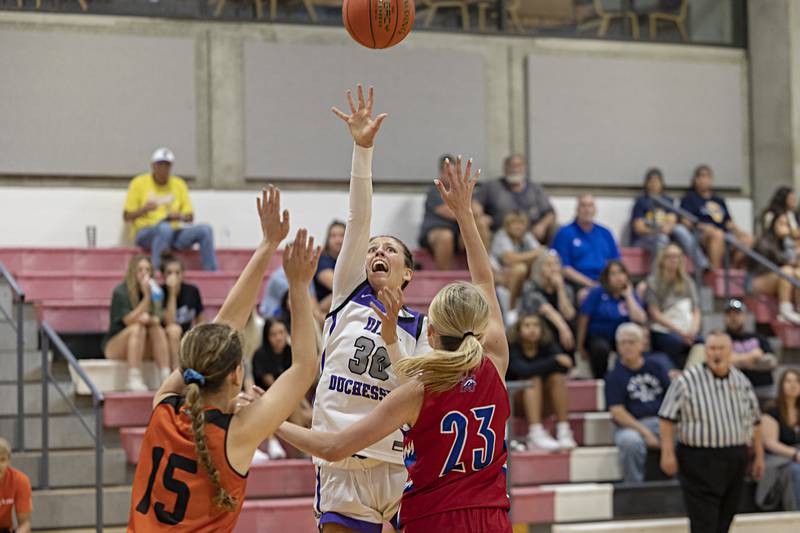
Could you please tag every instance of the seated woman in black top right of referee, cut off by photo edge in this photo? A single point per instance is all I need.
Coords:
(780, 485)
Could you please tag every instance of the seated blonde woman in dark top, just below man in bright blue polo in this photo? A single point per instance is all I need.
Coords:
(545, 294)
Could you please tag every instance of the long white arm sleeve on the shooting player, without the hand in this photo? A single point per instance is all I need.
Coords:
(350, 270)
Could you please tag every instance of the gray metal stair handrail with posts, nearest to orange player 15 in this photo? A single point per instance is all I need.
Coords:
(49, 336)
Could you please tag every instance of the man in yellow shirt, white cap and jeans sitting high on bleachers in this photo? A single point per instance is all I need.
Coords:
(159, 208)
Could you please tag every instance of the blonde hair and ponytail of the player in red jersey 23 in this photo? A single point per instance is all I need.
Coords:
(459, 314)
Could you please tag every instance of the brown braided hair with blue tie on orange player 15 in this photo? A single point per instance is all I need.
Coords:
(209, 353)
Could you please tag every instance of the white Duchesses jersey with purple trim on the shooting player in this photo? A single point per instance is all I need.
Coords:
(356, 371)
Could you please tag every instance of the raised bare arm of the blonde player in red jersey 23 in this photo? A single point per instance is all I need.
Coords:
(456, 191)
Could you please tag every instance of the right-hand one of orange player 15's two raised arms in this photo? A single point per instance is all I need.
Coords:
(258, 420)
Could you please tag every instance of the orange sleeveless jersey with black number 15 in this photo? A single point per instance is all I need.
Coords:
(171, 489)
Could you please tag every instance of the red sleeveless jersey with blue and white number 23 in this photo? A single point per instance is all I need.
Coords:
(456, 452)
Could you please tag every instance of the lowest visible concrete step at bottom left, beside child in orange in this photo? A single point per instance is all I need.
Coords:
(71, 508)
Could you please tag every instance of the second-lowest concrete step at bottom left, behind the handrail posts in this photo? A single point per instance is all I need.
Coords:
(74, 468)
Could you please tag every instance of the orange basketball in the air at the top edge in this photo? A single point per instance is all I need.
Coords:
(378, 23)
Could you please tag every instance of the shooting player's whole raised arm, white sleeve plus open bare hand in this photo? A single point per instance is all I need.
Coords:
(349, 271)
